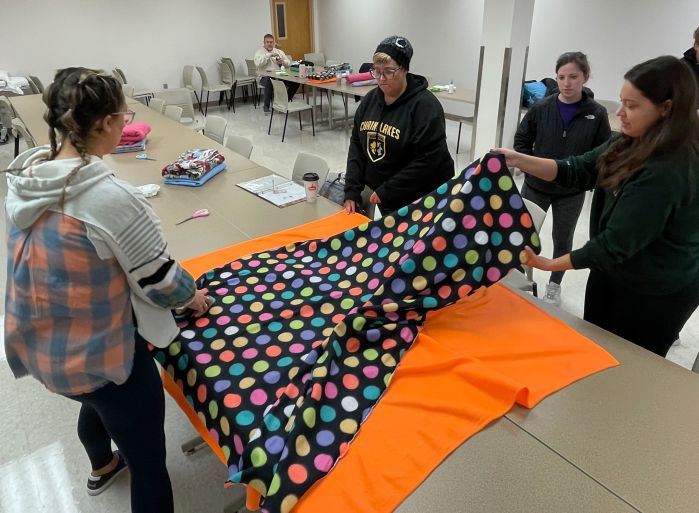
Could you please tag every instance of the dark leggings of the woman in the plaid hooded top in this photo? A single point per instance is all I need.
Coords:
(132, 415)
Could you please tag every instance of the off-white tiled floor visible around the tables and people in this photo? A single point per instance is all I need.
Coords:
(42, 465)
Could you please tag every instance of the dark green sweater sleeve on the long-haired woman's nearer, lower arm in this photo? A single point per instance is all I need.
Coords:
(637, 215)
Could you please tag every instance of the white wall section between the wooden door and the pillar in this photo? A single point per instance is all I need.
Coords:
(445, 34)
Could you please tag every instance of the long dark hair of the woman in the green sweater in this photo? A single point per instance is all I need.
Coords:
(660, 79)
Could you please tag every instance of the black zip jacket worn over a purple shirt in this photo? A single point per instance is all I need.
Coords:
(541, 133)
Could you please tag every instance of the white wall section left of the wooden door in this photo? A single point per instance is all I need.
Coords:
(150, 40)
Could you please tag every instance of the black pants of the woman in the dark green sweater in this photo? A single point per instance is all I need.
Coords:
(652, 322)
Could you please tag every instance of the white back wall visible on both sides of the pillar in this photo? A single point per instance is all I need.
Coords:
(446, 34)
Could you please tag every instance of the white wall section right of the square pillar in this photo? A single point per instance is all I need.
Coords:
(615, 35)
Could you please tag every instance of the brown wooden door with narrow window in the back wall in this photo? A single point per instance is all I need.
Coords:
(292, 26)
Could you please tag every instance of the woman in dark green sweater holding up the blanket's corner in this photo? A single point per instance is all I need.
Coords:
(643, 252)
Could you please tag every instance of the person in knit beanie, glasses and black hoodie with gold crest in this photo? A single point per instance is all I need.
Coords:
(398, 146)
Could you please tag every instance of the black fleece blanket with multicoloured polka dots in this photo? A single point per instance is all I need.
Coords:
(302, 340)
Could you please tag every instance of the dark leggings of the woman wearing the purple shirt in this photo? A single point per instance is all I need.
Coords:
(566, 211)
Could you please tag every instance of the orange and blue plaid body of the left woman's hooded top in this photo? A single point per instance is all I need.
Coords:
(68, 319)
